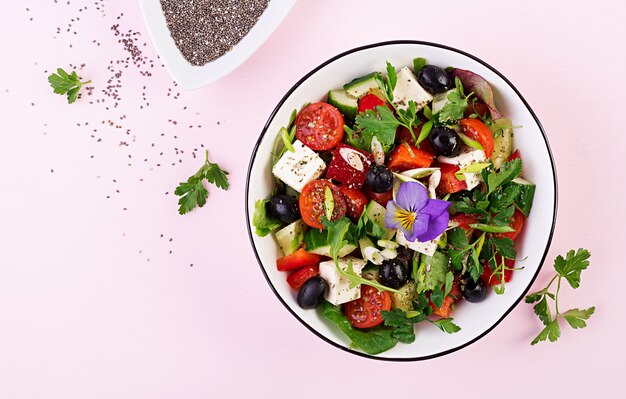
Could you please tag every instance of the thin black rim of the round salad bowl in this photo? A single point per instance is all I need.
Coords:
(264, 131)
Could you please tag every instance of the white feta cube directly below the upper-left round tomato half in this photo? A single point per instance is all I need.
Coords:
(298, 168)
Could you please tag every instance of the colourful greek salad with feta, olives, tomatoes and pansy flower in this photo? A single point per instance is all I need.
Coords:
(395, 198)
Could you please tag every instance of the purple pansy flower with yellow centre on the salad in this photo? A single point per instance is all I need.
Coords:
(417, 216)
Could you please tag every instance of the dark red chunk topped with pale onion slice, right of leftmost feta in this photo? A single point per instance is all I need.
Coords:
(349, 165)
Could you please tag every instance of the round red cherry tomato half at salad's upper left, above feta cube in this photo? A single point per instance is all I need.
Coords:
(319, 126)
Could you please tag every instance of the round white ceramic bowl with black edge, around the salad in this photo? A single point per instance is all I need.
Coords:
(476, 320)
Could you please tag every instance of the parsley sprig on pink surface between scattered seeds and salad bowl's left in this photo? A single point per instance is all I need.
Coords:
(193, 193)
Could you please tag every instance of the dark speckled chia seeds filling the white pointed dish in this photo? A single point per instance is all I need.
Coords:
(204, 30)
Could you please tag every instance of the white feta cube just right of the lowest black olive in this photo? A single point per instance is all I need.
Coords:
(339, 290)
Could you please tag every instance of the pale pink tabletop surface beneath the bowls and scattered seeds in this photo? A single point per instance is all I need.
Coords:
(105, 291)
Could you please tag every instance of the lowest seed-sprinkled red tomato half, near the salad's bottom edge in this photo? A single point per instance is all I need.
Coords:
(365, 311)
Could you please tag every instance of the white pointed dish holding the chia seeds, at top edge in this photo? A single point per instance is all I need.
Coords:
(193, 77)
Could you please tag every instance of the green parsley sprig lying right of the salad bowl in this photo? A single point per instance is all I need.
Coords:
(568, 268)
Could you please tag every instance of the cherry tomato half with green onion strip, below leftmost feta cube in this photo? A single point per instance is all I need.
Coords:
(312, 200)
